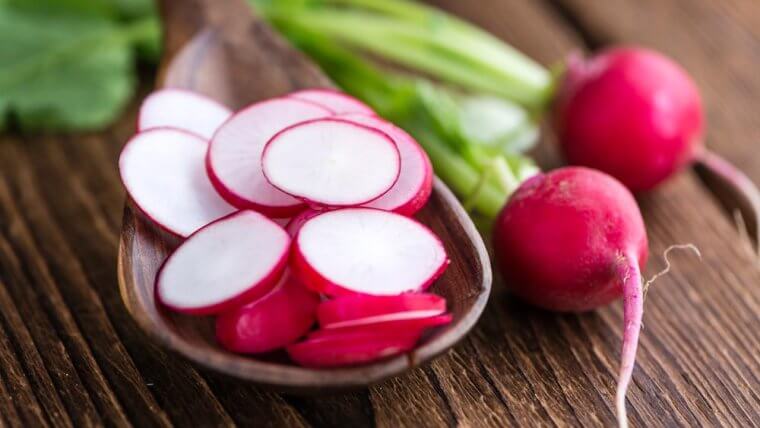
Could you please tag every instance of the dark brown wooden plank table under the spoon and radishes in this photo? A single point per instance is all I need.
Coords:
(71, 355)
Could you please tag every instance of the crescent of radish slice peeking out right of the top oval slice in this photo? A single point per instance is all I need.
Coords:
(415, 182)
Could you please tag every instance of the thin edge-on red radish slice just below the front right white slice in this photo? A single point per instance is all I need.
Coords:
(360, 308)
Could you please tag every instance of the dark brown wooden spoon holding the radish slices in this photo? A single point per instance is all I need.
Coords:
(220, 49)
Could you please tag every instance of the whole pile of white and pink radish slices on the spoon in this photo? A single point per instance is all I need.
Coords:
(295, 210)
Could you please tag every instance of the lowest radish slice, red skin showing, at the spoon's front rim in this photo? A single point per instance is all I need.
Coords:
(349, 349)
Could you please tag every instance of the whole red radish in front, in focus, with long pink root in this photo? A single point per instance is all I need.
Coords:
(574, 240)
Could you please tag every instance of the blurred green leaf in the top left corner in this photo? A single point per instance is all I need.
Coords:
(63, 71)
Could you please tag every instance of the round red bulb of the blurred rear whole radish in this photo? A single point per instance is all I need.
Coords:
(630, 112)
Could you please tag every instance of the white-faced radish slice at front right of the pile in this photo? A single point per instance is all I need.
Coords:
(367, 251)
